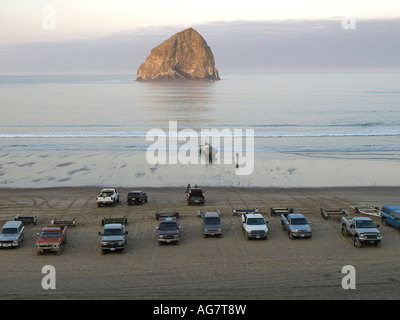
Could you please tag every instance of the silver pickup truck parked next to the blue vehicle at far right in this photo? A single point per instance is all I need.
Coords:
(363, 230)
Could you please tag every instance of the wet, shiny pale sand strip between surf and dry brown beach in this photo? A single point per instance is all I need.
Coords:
(123, 168)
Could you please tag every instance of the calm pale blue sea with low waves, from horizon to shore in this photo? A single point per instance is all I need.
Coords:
(289, 112)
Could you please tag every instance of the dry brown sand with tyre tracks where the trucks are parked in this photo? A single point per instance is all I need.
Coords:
(213, 268)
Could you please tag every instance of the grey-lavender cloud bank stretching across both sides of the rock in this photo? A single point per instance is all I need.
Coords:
(237, 46)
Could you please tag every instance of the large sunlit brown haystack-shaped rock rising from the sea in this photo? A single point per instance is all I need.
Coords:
(184, 56)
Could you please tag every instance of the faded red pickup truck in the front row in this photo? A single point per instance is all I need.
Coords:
(51, 239)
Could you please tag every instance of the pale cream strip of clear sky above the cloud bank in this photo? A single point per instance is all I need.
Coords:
(21, 20)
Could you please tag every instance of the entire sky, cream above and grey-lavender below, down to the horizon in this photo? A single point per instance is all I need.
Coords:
(95, 36)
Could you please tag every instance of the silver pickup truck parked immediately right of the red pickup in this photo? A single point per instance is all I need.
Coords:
(113, 238)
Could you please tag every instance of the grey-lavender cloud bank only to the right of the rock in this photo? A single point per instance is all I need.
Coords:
(315, 44)
